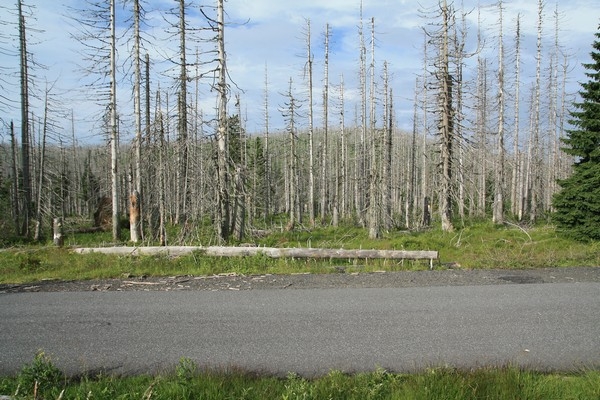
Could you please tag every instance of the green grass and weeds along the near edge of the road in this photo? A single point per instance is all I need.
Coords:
(43, 380)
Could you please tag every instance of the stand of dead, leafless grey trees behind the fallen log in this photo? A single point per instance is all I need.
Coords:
(485, 142)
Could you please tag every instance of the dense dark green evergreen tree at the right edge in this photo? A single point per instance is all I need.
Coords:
(577, 205)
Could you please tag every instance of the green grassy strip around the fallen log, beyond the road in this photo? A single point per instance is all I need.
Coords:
(481, 245)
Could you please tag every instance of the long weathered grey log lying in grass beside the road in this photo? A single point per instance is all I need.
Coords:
(292, 252)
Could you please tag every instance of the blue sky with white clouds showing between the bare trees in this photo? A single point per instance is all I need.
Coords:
(270, 35)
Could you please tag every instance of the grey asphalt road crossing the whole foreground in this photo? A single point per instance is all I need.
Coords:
(307, 331)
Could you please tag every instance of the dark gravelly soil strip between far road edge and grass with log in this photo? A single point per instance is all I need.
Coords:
(341, 279)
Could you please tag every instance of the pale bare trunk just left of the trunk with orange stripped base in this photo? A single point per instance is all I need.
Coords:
(114, 142)
